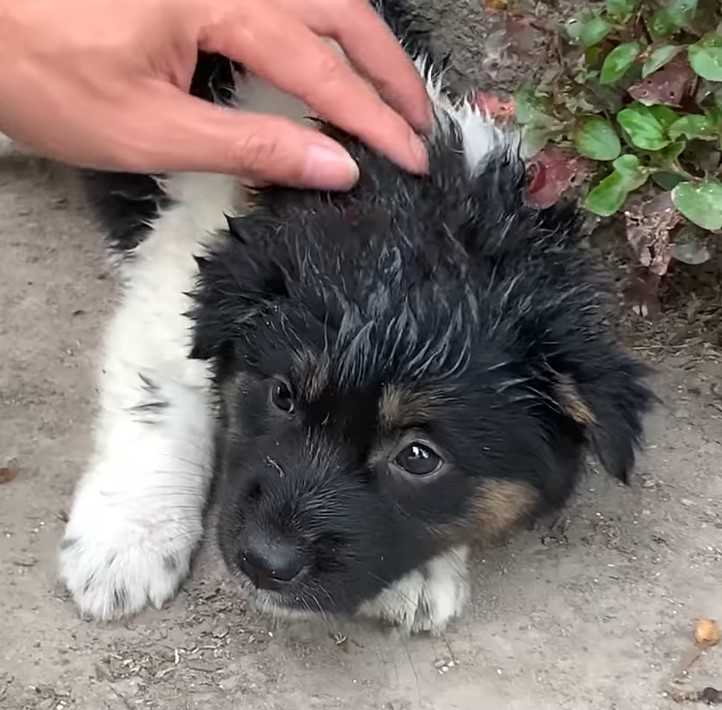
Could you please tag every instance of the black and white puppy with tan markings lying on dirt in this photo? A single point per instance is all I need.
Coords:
(381, 377)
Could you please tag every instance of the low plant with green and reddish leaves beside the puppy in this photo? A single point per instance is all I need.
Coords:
(638, 93)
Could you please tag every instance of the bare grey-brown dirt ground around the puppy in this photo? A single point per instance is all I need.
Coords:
(593, 612)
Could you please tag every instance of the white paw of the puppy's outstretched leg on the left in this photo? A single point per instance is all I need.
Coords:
(115, 566)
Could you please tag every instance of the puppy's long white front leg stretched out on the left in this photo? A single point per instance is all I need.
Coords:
(138, 512)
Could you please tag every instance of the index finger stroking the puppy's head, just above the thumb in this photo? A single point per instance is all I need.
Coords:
(284, 51)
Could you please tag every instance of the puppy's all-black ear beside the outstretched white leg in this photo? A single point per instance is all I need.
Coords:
(234, 285)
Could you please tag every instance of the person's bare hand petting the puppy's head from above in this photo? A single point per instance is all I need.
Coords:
(103, 84)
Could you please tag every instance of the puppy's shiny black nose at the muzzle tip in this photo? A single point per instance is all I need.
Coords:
(270, 562)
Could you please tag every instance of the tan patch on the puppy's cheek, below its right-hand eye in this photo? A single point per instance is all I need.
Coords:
(499, 506)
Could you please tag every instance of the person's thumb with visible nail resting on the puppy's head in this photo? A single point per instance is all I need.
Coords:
(178, 132)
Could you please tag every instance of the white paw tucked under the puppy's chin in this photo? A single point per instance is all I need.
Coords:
(426, 599)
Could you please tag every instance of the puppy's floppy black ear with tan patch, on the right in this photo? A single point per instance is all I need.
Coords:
(608, 405)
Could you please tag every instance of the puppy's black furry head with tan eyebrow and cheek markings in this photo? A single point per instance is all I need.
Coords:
(401, 369)
